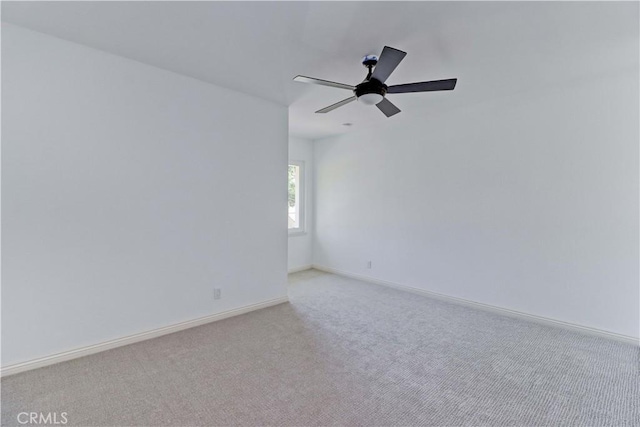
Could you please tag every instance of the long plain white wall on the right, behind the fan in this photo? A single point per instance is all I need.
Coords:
(528, 203)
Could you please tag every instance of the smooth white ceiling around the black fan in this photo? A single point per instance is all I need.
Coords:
(495, 49)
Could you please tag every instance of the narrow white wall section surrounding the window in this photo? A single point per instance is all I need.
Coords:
(300, 245)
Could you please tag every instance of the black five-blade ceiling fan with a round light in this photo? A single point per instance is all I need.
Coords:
(373, 90)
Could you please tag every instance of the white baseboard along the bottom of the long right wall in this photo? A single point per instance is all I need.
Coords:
(495, 309)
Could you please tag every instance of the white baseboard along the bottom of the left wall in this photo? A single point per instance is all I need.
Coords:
(131, 339)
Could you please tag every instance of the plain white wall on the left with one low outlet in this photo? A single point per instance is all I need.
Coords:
(117, 187)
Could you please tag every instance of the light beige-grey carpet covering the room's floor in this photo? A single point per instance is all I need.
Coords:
(344, 352)
